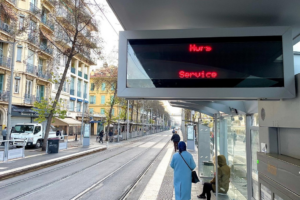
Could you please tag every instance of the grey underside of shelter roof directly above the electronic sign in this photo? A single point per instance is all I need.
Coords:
(179, 14)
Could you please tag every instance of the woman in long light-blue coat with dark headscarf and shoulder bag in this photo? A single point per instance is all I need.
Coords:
(182, 173)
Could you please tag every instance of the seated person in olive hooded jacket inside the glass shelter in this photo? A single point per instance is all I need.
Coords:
(223, 180)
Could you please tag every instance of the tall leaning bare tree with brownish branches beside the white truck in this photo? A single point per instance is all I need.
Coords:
(75, 36)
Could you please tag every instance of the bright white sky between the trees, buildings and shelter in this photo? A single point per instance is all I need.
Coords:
(109, 29)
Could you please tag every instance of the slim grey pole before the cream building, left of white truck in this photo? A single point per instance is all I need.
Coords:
(10, 91)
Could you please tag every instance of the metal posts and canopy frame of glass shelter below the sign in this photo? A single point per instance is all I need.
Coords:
(218, 109)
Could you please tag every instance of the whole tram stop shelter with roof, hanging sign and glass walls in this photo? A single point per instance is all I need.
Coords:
(229, 59)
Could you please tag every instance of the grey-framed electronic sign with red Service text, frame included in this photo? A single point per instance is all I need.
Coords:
(232, 63)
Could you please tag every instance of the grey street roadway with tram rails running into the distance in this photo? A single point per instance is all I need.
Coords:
(105, 175)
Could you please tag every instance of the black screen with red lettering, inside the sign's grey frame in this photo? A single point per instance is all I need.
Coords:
(205, 62)
